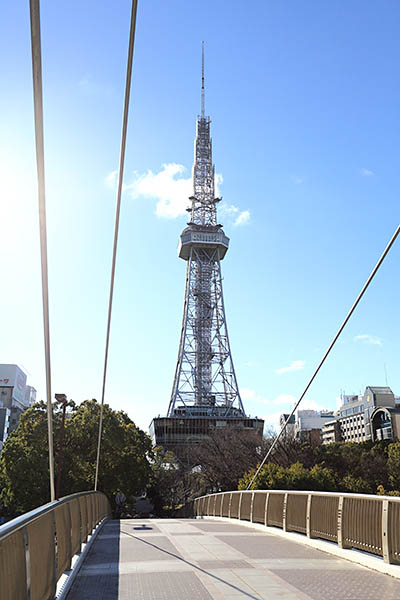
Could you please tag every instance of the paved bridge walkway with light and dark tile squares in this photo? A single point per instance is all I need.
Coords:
(162, 559)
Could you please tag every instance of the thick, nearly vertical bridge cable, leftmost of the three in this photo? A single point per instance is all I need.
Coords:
(38, 110)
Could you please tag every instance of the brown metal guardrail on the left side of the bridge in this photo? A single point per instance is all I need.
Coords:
(36, 548)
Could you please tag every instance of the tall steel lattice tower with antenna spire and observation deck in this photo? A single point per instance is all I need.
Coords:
(205, 393)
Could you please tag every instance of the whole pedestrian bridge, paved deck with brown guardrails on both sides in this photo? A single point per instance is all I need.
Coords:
(213, 556)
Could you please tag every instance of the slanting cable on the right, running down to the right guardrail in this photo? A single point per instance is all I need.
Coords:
(360, 295)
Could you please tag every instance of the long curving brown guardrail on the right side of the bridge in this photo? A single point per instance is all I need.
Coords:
(366, 522)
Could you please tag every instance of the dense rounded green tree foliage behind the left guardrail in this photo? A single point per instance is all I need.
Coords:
(124, 462)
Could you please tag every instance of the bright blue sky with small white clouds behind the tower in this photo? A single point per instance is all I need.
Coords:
(304, 101)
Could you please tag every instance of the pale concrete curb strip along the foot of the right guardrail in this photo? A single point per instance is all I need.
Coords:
(356, 556)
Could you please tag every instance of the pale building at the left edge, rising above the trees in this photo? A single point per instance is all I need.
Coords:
(13, 393)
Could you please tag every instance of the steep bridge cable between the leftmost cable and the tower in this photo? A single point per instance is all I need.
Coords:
(117, 213)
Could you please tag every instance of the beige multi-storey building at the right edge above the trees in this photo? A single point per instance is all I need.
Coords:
(373, 415)
